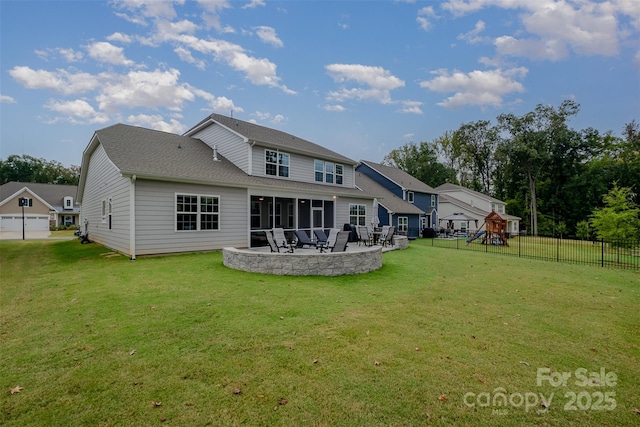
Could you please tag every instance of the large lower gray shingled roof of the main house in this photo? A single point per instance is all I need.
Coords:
(158, 155)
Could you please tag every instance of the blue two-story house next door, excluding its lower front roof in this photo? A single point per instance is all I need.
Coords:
(407, 188)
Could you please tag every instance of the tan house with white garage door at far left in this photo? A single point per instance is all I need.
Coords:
(48, 205)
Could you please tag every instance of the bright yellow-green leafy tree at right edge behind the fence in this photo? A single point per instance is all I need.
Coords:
(619, 218)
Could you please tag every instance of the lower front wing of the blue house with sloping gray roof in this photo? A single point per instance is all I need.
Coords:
(392, 210)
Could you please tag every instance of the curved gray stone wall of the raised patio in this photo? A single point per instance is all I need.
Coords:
(310, 262)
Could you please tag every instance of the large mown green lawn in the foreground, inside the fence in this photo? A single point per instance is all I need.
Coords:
(435, 337)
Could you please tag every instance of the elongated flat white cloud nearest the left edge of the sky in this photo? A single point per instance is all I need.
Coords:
(59, 80)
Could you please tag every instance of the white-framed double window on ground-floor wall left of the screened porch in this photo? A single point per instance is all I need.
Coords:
(197, 212)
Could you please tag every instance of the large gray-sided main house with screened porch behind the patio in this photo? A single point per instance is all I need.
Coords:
(223, 183)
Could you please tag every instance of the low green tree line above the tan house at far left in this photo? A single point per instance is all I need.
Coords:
(30, 169)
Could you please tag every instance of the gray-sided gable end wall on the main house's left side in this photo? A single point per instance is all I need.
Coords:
(104, 181)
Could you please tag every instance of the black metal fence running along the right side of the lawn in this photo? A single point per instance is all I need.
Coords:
(602, 252)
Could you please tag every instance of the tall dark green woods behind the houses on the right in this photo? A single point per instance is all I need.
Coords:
(551, 175)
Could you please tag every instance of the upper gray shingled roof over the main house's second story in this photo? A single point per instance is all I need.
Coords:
(272, 138)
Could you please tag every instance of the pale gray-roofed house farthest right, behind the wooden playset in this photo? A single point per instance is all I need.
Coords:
(457, 199)
